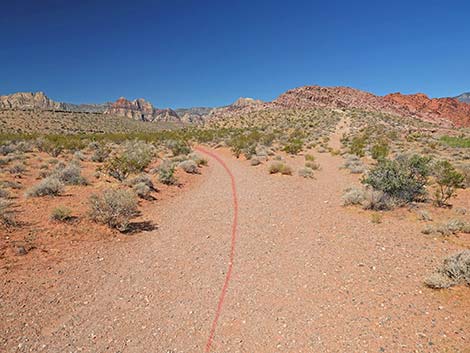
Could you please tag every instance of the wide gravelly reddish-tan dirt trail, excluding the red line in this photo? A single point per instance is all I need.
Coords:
(308, 276)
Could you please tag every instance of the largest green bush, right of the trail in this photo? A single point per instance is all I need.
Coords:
(403, 179)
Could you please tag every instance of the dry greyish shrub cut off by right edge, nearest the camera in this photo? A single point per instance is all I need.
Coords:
(454, 270)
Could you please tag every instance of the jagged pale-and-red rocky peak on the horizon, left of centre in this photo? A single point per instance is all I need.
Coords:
(140, 109)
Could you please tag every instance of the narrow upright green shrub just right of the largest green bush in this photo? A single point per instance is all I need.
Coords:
(448, 179)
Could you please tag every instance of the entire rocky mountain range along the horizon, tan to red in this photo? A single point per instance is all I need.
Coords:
(443, 111)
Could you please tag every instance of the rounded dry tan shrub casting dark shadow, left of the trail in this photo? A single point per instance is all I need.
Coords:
(114, 208)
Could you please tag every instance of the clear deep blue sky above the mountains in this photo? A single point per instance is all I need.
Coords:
(206, 53)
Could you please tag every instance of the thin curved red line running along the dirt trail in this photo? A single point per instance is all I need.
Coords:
(232, 247)
